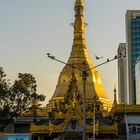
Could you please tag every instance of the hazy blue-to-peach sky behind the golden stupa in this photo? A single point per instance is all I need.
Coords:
(31, 28)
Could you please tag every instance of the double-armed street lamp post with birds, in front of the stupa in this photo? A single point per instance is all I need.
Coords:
(84, 78)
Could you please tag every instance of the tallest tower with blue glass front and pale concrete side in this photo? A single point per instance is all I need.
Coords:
(132, 50)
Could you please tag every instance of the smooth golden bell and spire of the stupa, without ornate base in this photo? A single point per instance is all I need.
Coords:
(78, 55)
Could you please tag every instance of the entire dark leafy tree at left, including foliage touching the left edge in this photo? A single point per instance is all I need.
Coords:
(17, 98)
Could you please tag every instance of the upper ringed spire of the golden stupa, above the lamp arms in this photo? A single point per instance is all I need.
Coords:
(79, 52)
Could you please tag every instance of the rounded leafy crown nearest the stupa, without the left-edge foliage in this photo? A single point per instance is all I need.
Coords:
(23, 92)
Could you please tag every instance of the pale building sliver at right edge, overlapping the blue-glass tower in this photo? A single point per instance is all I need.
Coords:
(137, 69)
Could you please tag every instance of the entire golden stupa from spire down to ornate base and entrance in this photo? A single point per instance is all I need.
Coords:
(65, 108)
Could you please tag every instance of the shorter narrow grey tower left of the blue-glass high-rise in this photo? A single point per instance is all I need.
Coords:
(122, 76)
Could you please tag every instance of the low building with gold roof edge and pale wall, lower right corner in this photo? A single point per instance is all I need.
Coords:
(128, 118)
